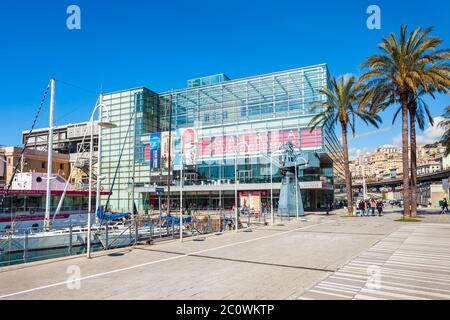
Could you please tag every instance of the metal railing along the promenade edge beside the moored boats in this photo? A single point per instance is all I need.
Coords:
(27, 245)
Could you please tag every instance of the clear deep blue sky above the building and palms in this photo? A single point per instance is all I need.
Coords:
(161, 44)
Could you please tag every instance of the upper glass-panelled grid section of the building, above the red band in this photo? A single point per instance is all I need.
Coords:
(277, 94)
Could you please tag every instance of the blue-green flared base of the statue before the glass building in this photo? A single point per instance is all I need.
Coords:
(287, 206)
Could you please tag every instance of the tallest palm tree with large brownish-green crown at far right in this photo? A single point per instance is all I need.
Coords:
(406, 66)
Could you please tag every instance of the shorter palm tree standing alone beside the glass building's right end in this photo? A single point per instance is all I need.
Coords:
(346, 100)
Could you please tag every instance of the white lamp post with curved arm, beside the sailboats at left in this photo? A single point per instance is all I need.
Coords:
(104, 124)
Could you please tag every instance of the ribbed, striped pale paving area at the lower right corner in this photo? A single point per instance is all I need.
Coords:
(411, 263)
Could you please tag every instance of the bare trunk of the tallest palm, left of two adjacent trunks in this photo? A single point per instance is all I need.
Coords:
(405, 151)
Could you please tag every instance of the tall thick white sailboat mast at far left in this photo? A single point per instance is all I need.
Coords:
(50, 157)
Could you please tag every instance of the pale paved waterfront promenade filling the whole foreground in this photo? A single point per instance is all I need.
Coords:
(296, 260)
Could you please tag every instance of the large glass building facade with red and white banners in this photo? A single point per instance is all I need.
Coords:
(223, 131)
